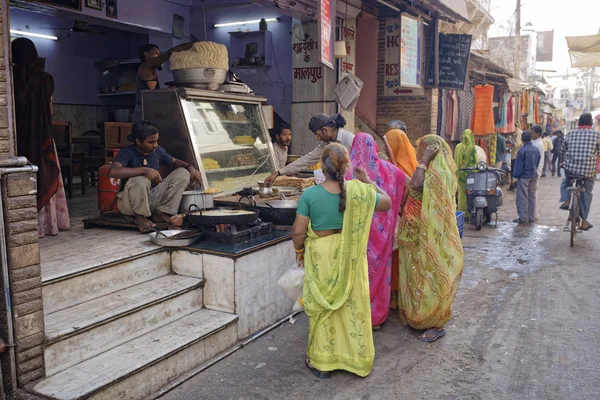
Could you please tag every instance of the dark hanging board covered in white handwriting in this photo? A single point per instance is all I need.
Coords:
(454, 51)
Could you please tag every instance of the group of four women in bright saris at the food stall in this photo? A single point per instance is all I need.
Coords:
(376, 235)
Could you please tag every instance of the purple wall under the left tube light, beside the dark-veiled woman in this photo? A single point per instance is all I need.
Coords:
(71, 60)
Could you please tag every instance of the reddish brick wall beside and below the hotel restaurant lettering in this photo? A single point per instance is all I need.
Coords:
(418, 112)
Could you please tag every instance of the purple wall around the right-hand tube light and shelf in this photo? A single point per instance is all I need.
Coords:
(274, 83)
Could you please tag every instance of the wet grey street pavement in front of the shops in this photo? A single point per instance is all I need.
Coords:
(526, 325)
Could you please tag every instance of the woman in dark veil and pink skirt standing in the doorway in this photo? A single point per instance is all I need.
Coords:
(33, 111)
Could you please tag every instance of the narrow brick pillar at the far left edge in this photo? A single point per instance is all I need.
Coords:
(20, 216)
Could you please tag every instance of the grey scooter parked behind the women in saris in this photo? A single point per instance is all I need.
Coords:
(484, 195)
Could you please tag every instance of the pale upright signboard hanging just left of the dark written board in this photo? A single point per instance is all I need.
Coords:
(411, 51)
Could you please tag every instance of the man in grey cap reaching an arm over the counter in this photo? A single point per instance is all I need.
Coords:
(329, 129)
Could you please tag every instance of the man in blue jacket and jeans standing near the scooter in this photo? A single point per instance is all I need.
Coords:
(526, 171)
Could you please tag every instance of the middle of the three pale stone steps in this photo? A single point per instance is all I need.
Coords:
(78, 333)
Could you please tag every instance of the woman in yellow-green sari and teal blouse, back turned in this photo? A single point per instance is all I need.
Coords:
(330, 237)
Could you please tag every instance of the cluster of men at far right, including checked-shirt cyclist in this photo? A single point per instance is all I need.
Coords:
(576, 154)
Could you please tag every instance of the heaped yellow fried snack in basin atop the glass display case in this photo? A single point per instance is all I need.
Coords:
(201, 55)
